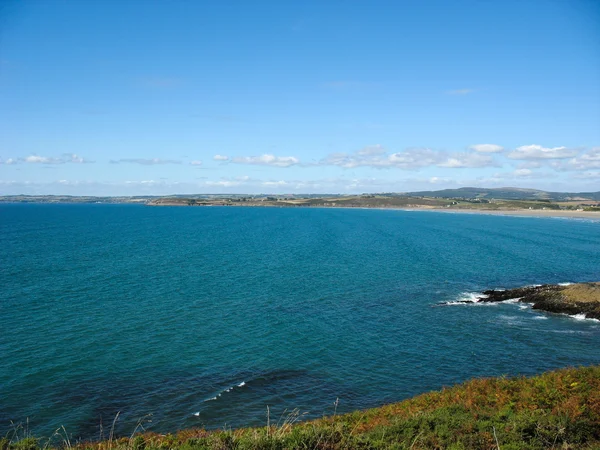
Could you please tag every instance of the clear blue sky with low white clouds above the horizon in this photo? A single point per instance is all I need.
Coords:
(135, 97)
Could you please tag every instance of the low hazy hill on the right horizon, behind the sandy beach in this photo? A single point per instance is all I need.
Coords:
(507, 193)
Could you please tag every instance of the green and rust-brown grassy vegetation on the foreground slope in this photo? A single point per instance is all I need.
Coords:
(559, 409)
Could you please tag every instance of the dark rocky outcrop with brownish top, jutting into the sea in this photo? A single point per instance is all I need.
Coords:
(581, 298)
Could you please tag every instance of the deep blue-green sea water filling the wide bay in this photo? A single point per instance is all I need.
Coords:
(206, 316)
